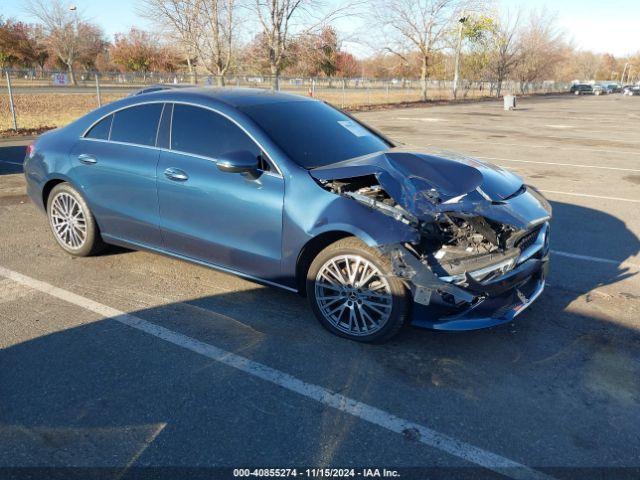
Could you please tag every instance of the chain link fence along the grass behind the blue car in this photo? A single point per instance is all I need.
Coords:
(36, 98)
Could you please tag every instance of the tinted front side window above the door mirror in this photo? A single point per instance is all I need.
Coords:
(203, 132)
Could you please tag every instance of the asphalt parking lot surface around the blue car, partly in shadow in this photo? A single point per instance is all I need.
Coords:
(133, 360)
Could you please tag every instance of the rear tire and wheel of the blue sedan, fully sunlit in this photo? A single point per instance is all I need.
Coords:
(72, 223)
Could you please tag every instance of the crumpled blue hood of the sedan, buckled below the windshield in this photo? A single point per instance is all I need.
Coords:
(422, 180)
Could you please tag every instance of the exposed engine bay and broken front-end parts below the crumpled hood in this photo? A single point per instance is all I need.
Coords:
(460, 249)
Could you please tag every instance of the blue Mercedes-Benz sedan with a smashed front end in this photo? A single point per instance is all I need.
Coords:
(291, 192)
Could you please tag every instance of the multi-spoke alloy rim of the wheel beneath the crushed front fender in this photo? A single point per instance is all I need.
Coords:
(353, 295)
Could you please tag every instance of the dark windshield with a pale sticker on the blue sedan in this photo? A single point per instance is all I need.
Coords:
(313, 134)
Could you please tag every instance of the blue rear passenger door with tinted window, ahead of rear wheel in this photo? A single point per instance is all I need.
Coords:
(115, 163)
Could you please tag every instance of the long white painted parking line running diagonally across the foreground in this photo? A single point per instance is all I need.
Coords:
(365, 412)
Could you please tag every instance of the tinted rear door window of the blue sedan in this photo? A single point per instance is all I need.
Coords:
(137, 125)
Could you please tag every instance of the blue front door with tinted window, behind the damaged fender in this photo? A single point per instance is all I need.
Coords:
(227, 219)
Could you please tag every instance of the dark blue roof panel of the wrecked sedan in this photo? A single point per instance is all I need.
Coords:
(232, 96)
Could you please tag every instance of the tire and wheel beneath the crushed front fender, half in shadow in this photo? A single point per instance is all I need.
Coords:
(354, 294)
